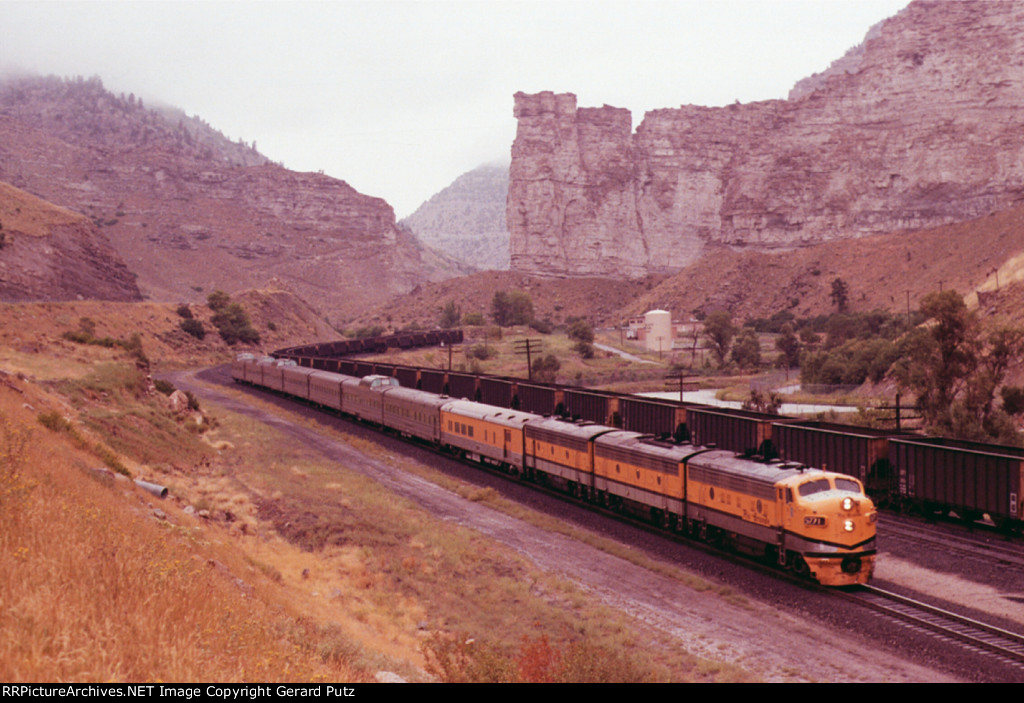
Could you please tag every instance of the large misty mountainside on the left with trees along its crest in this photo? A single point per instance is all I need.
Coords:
(191, 211)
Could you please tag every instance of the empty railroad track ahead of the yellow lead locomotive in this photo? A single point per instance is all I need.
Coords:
(1002, 644)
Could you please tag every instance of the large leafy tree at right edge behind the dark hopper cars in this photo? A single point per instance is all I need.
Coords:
(955, 369)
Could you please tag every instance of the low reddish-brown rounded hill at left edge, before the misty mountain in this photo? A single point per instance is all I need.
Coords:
(49, 254)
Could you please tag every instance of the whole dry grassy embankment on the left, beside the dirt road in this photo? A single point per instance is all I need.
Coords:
(305, 569)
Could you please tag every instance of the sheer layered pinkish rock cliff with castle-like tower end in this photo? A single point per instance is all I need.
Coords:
(922, 125)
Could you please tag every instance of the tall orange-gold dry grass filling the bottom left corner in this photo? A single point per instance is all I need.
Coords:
(95, 588)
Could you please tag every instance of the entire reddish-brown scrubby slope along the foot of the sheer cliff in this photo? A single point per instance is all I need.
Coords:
(884, 272)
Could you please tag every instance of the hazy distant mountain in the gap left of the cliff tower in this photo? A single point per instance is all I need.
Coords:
(466, 221)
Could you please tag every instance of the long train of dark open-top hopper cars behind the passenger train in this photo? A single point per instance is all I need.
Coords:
(970, 480)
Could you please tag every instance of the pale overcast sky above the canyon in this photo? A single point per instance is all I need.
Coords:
(400, 98)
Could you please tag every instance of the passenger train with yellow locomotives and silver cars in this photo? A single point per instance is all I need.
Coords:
(807, 520)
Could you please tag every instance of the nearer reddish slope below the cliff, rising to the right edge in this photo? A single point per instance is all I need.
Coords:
(889, 272)
